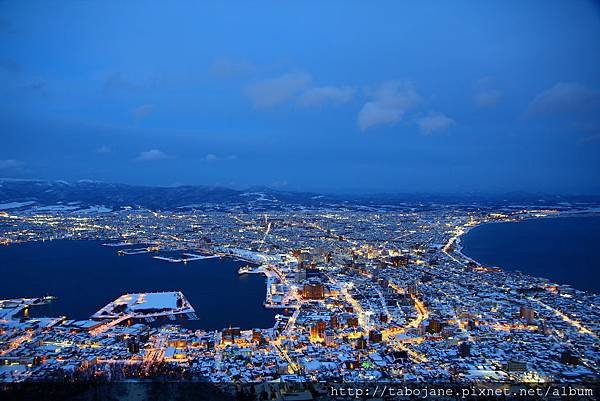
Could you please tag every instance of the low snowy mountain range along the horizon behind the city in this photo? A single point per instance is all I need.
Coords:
(34, 193)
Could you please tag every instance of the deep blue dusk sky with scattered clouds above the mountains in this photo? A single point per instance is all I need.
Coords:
(431, 96)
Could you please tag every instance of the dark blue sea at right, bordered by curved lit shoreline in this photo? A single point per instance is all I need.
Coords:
(565, 250)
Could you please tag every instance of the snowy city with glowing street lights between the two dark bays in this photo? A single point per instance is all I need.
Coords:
(365, 294)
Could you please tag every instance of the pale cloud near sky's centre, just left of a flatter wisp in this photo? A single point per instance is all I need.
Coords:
(275, 91)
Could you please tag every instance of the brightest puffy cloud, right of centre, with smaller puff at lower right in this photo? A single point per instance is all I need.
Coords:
(390, 101)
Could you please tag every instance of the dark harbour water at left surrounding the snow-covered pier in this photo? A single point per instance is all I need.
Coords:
(85, 276)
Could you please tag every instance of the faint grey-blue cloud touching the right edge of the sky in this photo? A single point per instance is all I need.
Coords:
(564, 98)
